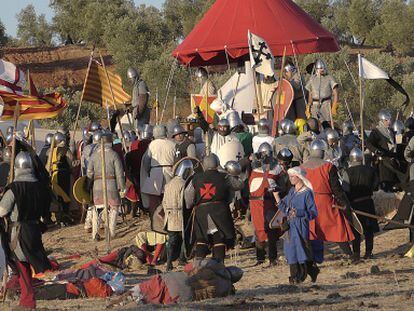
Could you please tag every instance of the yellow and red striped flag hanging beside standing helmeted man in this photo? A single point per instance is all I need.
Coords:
(97, 88)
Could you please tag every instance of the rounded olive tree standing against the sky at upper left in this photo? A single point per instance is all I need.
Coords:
(33, 29)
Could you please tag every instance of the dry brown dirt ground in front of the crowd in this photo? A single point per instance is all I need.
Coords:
(383, 283)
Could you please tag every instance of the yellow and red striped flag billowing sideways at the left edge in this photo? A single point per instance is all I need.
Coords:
(31, 107)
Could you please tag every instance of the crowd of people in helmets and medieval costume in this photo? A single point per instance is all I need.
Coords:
(301, 186)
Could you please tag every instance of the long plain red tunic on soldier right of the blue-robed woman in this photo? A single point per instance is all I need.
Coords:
(330, 225)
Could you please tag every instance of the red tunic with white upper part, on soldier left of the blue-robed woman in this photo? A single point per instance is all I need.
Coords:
(262, 205)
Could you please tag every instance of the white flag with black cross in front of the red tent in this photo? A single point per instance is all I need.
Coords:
(261, 57)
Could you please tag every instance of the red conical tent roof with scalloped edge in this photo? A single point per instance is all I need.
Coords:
(280, 22)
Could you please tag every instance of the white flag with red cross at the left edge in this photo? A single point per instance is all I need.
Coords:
(12, 79)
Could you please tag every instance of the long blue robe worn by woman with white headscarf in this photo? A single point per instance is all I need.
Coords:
(296, 245)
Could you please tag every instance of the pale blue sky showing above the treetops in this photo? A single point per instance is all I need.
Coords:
(9, 9)
